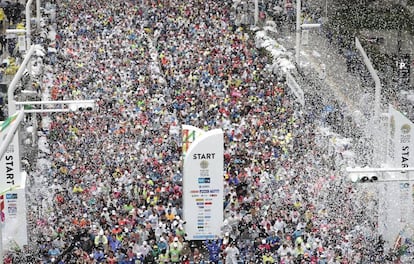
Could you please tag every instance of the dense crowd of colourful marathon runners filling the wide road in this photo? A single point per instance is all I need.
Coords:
(116, 172)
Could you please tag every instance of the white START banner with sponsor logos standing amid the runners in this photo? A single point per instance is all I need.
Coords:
(203, 183)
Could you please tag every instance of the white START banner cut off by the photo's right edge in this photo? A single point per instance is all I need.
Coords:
(396, 205)
